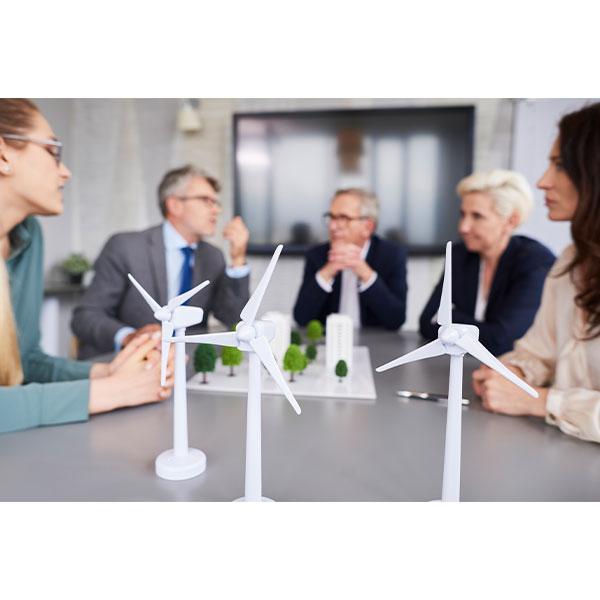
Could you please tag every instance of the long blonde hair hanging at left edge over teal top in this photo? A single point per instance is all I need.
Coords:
(11, 370)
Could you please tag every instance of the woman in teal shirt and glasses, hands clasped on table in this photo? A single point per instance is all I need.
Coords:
(37, 389)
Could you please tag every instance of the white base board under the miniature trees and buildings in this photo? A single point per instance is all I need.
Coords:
(314, 382)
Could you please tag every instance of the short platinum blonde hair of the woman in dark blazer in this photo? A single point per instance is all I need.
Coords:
(509, 191)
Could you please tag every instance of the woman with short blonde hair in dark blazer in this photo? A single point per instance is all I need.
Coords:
(497, 277)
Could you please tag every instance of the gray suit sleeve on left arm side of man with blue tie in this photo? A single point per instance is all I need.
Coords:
(95, 320)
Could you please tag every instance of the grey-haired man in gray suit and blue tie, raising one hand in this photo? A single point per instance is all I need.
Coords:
(167, 260)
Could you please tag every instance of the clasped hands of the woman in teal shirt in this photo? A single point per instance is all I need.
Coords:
(135, 380)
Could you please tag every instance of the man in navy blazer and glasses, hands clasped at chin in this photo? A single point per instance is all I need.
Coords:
(356, 273)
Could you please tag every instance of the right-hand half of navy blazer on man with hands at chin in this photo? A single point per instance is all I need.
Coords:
(383, 304)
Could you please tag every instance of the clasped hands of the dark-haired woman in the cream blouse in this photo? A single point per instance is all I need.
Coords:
(500, 395)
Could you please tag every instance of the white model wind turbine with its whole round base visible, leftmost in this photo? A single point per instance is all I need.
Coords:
(181, 462)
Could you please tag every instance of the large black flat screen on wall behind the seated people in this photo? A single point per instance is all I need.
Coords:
(287, 166)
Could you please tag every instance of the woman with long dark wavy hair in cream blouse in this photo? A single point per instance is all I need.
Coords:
(559, 353)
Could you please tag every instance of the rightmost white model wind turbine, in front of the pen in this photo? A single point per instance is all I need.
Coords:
(456, 340)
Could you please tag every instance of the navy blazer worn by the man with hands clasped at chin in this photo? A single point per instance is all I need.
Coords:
(383, 304)
